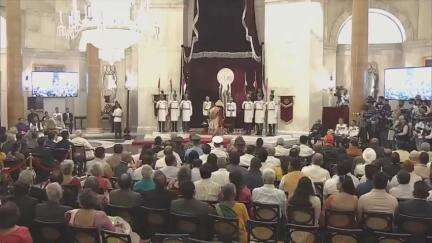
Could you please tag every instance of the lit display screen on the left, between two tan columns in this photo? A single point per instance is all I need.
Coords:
(54, 84)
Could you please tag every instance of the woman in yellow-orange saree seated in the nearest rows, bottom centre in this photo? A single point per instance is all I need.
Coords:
(229, 208)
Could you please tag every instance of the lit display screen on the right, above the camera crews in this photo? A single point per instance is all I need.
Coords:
(406, 83)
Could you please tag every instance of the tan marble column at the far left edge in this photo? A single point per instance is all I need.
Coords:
(15, 100)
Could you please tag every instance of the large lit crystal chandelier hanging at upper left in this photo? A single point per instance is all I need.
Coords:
(110, 25)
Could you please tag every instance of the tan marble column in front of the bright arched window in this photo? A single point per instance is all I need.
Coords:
(359, 53)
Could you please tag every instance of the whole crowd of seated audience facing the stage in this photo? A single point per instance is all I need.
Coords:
(236, 193)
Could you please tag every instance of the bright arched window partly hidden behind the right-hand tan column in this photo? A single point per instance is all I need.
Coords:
(384, 27)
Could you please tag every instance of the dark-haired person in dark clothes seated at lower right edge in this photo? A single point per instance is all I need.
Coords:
(418, 206)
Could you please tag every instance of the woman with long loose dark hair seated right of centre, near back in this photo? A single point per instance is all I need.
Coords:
(304, 196)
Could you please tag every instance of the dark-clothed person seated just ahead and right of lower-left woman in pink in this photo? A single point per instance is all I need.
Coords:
(124, 196)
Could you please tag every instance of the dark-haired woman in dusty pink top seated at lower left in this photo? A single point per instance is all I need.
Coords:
(88, 215)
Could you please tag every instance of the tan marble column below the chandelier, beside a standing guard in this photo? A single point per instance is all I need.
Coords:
(94, 122)
